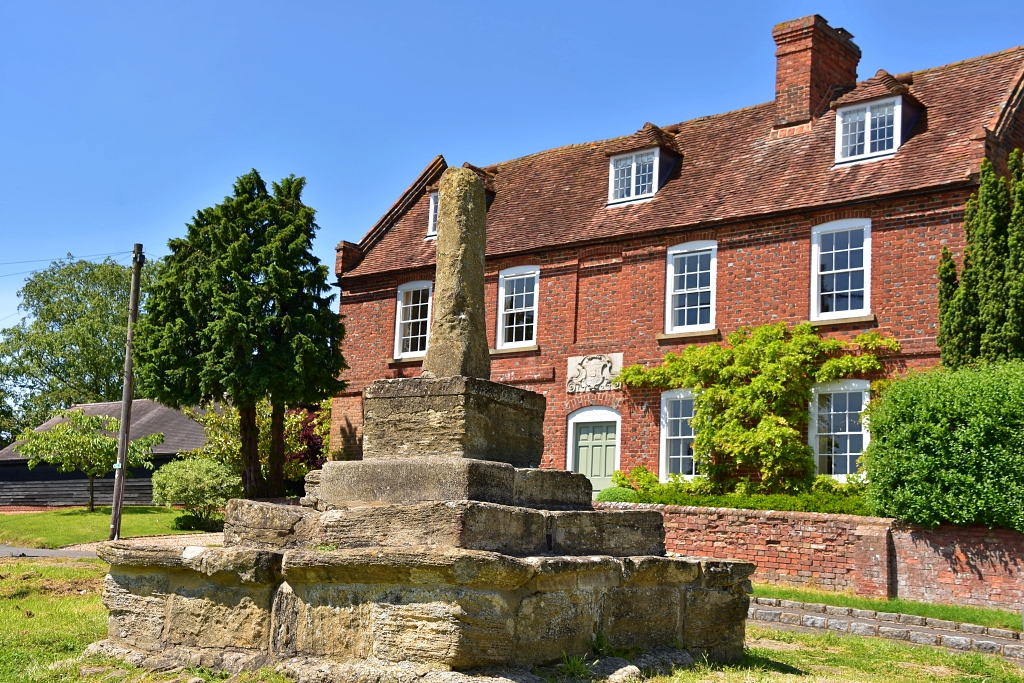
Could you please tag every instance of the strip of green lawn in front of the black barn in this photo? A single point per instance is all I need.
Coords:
(64, 528)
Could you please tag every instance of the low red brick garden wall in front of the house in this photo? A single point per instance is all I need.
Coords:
(870, 557)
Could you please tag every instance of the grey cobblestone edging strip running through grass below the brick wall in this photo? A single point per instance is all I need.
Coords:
(920, 630)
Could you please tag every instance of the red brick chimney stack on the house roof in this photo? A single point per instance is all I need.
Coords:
(816, 64)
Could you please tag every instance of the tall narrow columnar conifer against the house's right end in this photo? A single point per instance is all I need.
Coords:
(982, 311)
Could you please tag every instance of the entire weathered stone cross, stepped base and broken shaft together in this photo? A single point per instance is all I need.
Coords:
(445, 550)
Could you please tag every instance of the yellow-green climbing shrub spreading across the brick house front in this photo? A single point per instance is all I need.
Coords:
(752, 398)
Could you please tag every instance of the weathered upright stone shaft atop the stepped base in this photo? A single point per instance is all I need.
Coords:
(458, 335)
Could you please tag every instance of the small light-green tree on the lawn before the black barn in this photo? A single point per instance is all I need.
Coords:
(84, 444)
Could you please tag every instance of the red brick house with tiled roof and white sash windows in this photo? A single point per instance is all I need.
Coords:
(830, 204)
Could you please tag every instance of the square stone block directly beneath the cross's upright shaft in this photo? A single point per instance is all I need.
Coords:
(462, 417)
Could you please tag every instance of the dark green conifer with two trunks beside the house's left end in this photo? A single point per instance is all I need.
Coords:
(241, 312)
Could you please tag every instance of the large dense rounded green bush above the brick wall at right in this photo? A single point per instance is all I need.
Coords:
(949, 447)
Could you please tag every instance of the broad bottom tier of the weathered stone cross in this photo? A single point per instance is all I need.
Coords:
(449, 609)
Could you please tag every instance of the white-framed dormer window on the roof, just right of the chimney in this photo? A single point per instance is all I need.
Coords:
(869, 132)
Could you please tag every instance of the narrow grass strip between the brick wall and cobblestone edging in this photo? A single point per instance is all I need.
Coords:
(965, 614)
